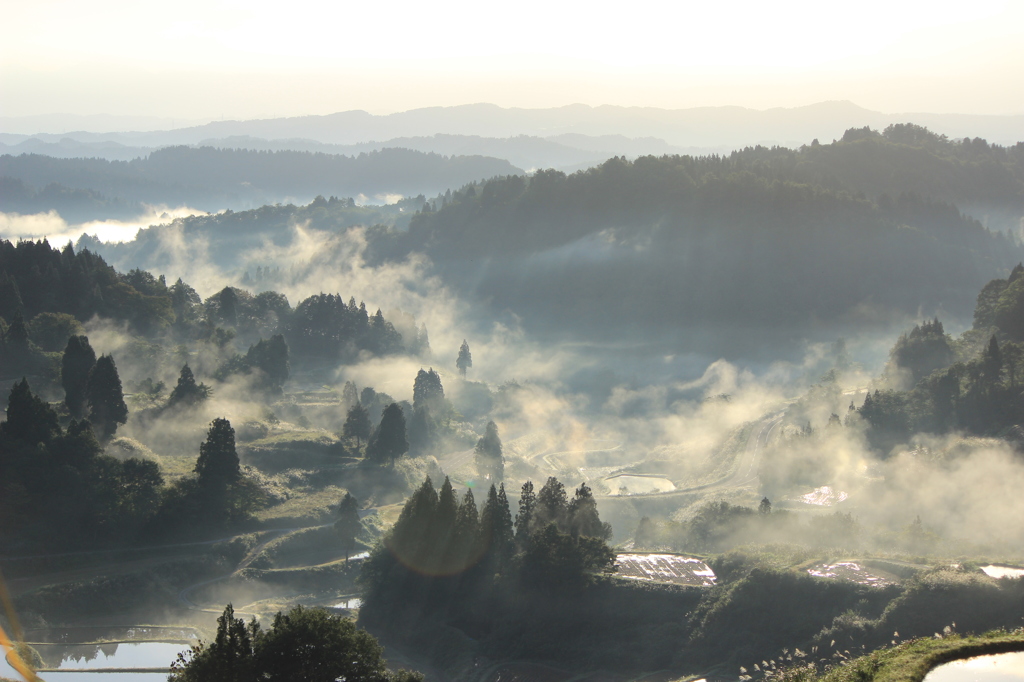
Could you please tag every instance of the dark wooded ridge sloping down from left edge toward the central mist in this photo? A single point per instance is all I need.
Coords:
(48, 293)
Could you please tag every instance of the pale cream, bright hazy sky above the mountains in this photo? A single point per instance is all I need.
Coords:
(214, 59)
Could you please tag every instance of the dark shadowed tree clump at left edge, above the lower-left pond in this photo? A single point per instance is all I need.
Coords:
(61, 489)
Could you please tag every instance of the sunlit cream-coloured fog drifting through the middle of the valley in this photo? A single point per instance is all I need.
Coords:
(656, 407)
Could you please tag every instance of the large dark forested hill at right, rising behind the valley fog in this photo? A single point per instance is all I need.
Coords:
(762, 237)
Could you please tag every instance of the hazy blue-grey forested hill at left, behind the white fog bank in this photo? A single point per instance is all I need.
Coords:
(212, 180)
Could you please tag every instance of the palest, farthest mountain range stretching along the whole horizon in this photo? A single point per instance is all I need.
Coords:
(562, 138)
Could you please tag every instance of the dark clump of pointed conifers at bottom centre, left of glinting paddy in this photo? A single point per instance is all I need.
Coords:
(448, 558)
